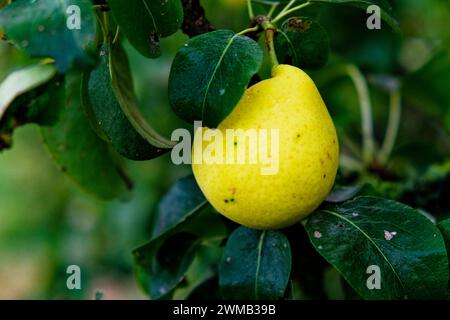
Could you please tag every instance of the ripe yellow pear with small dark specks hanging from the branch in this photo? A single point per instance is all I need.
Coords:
(296, 168)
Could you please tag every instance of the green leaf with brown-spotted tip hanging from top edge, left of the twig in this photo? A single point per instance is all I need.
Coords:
(145, 21)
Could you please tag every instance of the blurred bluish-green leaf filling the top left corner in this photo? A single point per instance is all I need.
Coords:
(40, 29)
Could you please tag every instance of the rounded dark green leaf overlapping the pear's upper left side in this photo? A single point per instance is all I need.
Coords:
(210, 73)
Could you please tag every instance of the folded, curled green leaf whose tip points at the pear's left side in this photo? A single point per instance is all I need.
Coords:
(112, 106)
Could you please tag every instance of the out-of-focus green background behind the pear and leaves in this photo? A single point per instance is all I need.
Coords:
(47, 223)
